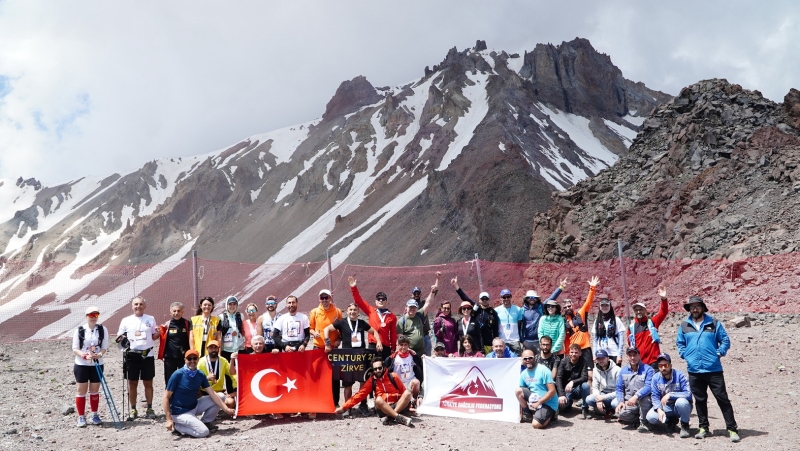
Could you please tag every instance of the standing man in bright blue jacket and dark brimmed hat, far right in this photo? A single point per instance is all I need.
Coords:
(701, 341)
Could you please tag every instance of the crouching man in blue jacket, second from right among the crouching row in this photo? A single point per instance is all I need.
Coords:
(634, 384)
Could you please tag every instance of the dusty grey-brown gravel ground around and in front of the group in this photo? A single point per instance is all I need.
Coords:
(762, 373)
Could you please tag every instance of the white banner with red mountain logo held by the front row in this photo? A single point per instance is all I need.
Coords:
(477, 388)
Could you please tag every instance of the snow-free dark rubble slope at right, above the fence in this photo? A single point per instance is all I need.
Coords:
(714, 174)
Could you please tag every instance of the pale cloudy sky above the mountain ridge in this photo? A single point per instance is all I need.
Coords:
(97, 87)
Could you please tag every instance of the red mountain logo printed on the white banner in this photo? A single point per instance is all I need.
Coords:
(474, 394)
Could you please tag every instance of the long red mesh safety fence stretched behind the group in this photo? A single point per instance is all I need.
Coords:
(40, 300)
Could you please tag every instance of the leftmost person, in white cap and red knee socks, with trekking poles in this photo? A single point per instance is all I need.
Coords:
(89, 344)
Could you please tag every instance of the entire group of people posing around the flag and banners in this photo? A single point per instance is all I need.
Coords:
(564, 359)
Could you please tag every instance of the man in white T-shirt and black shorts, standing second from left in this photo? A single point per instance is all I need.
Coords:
(141, 331)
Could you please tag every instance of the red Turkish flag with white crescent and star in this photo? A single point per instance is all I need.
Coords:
(288, 382)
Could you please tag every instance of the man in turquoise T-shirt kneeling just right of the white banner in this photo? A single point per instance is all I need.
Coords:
(536, 392)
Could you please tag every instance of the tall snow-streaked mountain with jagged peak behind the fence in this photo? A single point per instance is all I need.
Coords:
(434, 170)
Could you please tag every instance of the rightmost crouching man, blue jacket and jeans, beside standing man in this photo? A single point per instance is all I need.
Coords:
(671, 397)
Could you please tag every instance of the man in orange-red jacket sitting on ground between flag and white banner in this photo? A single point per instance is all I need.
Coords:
(391, 396)
